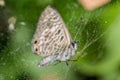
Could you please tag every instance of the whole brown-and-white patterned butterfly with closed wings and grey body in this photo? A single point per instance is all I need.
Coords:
(52, 40)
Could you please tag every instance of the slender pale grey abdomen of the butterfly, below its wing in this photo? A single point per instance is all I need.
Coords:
(47, 60)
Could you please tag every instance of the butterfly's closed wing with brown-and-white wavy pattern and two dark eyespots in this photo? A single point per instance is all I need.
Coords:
(52, 36)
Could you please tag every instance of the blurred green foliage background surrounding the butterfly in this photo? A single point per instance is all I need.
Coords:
(98, 33)
